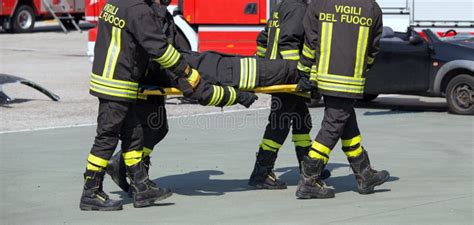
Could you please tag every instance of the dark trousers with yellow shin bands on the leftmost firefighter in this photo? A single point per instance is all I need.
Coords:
(116, 121)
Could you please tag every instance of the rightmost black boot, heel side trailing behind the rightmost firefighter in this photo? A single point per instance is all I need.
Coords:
(367, 178)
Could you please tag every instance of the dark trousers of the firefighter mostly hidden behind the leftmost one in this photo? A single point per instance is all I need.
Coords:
(153, 119)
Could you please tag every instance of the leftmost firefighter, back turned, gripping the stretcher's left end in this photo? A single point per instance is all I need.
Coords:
(127, 36)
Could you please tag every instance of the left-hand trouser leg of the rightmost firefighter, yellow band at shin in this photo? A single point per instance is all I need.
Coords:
(337, 113)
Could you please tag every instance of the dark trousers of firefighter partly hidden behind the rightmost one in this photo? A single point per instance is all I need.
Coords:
(287, 111)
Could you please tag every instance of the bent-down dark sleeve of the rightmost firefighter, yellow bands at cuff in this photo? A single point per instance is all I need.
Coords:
(306, 63)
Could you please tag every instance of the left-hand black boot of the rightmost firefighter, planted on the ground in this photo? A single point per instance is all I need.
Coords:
(310, 184)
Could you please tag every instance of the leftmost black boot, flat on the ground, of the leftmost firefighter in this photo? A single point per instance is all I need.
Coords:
(93, 197)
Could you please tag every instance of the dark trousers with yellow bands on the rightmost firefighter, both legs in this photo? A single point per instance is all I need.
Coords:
(339, 122)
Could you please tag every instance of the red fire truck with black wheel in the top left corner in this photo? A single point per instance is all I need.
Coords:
(19, 16)
